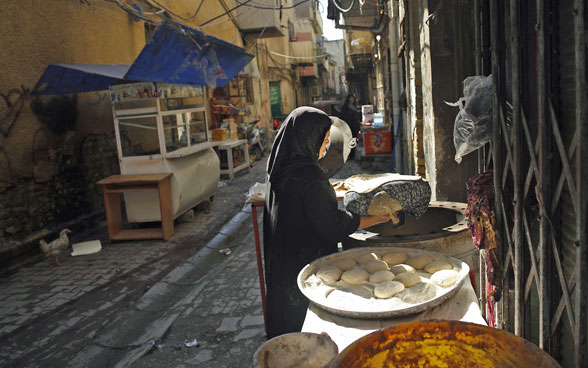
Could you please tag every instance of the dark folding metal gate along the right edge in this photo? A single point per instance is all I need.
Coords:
(540, 164)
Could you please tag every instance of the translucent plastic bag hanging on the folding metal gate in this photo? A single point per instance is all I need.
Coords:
(473, 123)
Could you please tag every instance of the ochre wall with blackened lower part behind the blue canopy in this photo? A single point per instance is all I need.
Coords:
(54, 148)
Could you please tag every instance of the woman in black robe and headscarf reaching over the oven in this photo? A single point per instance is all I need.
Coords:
(301, 219)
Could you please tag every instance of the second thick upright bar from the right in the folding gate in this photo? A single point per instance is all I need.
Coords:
(544, 182)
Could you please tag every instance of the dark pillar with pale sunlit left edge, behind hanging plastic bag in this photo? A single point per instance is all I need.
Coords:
(447, 59)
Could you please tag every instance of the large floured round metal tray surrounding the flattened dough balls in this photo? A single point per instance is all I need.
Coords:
(379, 309)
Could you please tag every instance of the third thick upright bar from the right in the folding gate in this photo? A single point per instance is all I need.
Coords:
(516, 172)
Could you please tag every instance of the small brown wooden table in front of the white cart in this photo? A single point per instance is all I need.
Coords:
(115, 185)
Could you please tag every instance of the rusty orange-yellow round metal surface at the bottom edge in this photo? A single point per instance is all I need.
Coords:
(442, 344)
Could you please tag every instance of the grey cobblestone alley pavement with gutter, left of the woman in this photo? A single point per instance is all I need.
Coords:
(143, 303)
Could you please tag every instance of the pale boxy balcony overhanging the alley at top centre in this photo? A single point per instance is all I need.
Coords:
(262, 23)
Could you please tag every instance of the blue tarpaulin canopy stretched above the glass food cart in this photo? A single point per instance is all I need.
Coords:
(175, 54)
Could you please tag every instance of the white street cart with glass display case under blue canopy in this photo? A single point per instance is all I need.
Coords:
(163, 128)
